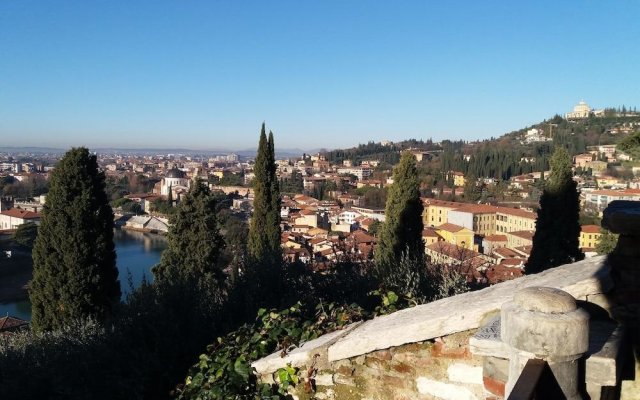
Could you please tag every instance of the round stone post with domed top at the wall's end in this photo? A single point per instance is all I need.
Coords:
(545, 323)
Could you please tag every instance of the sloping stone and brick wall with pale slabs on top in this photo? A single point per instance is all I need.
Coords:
(448, 349)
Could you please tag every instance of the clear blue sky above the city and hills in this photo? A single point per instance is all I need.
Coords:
(205, 74)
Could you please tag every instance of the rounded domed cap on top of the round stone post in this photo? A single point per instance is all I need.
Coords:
(545, 299)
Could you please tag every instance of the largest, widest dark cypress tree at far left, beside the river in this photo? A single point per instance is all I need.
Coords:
(74, 259)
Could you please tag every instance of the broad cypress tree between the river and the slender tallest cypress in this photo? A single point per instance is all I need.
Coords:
(194, 241)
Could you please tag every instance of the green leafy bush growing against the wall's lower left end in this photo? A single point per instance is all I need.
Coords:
(225, 372)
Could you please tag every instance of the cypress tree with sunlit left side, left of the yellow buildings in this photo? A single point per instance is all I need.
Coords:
(401, 233)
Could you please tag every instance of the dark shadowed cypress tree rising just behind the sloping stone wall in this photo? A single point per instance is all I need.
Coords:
(556, 240)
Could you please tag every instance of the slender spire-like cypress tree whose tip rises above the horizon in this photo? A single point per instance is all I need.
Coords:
(264, 230)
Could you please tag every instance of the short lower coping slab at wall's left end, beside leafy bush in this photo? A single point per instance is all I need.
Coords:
(302, 355)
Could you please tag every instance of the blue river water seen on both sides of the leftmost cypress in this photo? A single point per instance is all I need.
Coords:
(137, 253)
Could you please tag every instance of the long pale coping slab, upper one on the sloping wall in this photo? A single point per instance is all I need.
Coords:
(466, 311)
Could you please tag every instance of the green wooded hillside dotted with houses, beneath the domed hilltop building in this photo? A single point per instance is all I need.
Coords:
(521, 151)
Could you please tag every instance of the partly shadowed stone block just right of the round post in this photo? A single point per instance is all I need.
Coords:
(602, 367)
